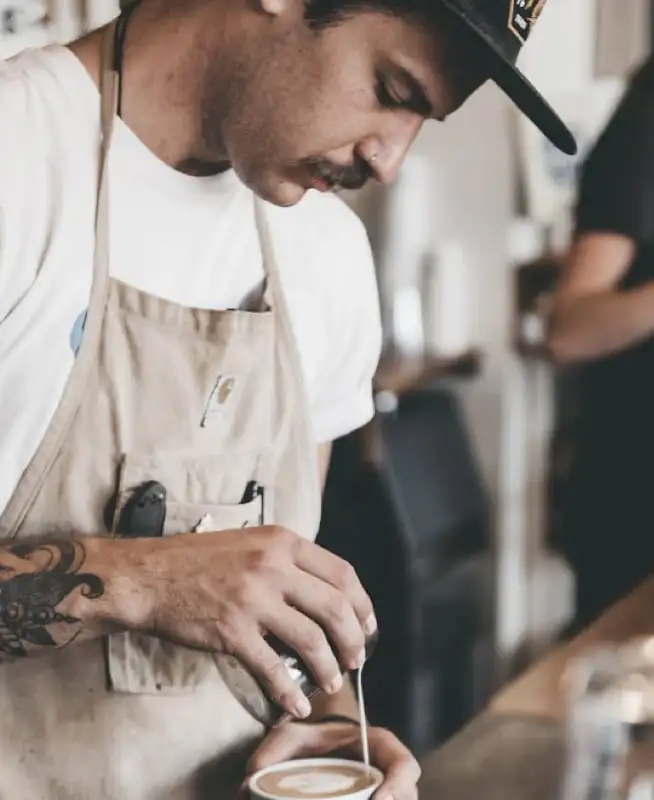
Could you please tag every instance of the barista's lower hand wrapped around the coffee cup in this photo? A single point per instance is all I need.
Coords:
(387, 753)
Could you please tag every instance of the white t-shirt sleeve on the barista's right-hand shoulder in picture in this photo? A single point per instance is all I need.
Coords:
(343, 394)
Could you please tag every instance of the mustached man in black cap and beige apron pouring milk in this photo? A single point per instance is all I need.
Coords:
(185, 328)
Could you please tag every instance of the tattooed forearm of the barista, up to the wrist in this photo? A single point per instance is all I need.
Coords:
(53, 593)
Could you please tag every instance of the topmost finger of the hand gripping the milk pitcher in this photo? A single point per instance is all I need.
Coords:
(340, 574)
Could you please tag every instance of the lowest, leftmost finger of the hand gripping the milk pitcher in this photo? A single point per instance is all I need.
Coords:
(263, 662)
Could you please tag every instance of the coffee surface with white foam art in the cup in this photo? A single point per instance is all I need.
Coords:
(316, 781)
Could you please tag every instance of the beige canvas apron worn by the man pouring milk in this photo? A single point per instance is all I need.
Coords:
(204, 402)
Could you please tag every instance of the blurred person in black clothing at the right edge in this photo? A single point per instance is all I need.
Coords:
(603, 321)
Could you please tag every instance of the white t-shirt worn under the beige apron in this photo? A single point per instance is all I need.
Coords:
(186, 239)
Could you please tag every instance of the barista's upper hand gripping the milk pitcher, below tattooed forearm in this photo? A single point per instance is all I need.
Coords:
(225, 591)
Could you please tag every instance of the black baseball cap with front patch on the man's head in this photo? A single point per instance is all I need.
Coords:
(503, 26)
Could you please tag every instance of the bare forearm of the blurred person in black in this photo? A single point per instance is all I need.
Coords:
(600, 324)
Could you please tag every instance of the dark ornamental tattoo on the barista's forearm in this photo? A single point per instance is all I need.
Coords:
(34, 580)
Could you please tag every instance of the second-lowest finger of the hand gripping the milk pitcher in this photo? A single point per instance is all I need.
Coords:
(308, 640)
